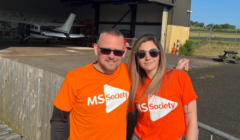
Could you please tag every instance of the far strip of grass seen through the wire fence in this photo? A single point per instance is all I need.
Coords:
(217, 34)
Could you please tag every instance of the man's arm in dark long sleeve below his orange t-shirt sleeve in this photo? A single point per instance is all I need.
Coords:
(59, 124)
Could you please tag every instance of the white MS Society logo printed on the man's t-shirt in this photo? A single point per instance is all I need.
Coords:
(113, 97)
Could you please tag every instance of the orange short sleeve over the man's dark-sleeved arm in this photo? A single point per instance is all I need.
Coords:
(66, 97)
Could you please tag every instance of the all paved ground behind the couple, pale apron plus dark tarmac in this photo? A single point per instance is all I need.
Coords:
(215, 83)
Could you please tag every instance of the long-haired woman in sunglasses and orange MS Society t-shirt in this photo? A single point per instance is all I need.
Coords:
(165, 99)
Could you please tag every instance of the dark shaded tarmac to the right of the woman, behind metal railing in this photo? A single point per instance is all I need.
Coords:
(218, 90)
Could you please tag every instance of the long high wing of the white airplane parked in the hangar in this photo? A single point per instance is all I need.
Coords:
(33, 22)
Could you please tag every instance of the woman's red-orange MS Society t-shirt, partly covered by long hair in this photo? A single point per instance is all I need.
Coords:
(162, 116)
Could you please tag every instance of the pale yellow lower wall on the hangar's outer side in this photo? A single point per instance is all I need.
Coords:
(175, 33)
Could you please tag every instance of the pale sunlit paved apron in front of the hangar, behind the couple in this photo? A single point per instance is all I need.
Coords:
(62, 57)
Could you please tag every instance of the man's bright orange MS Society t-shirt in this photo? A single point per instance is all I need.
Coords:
(98, 103)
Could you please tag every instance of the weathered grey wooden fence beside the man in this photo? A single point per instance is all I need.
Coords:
(26, 96)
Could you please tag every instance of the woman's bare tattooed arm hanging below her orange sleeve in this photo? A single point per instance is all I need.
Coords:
(190, 111)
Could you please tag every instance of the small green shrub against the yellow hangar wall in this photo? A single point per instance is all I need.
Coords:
(187, 48)
